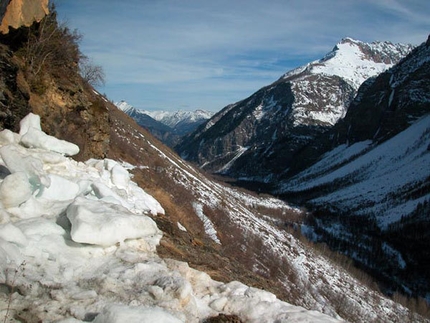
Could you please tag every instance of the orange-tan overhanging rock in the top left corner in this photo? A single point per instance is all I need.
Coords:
(18, 13)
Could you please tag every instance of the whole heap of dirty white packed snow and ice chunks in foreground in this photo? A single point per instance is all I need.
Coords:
(78, 244)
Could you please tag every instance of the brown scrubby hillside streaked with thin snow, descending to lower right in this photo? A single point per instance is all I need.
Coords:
(248, 230)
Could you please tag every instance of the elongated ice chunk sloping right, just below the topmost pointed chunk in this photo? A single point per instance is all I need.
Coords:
(35, 138)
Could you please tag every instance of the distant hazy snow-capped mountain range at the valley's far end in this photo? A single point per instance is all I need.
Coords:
(167, 126)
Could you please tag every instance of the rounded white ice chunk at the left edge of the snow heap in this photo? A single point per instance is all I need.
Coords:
(15, 189)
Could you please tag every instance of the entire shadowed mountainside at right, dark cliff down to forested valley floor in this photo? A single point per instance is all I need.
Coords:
(372, 169)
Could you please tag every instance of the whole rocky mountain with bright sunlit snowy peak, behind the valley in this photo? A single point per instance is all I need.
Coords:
(257, 138)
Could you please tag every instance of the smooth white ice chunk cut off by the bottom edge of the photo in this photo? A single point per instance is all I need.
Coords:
(134, 314)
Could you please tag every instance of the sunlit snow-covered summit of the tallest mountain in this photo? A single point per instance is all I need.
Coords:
(352, 61)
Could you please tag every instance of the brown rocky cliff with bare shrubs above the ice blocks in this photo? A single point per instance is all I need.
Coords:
(69, 107)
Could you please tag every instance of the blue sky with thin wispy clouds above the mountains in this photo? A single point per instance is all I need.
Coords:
(198, 54)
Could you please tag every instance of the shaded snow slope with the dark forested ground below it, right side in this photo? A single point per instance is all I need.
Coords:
(371, 202)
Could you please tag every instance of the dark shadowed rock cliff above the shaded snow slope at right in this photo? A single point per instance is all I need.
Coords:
(384, 106)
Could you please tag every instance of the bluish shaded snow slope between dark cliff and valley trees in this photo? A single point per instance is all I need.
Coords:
(372, 178)
